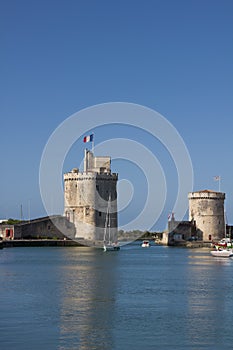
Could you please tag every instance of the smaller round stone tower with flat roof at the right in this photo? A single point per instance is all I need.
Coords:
(206, 208)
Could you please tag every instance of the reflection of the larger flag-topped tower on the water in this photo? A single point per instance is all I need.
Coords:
(88, 299)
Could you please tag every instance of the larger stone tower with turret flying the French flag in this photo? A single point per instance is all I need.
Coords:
(87, 195)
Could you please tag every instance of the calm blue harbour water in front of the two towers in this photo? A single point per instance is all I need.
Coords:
(138, 298)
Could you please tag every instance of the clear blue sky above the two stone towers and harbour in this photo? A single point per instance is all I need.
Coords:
(58, 57)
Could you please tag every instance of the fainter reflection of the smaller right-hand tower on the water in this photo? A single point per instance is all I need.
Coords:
(207, 287)
